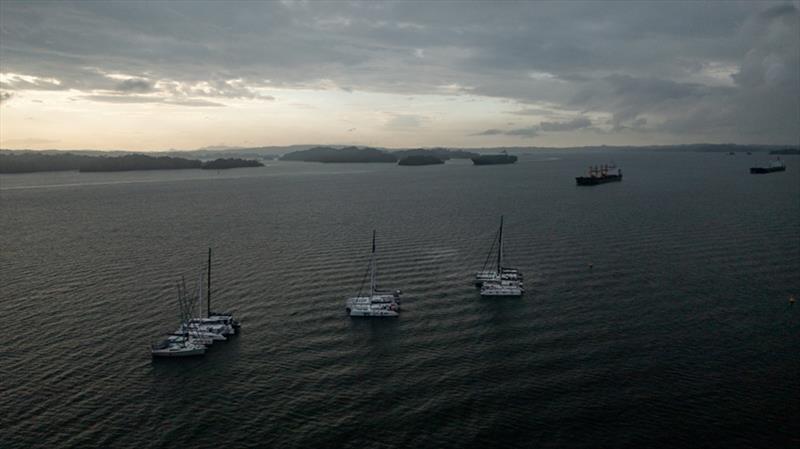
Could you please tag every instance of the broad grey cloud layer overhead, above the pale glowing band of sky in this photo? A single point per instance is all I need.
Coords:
(706, 70)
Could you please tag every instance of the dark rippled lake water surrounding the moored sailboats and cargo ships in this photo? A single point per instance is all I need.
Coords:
(680, 335)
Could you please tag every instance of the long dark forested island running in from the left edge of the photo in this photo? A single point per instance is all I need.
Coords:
(29, 161)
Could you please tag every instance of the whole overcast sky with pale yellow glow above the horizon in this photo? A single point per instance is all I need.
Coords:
(184, 75)
